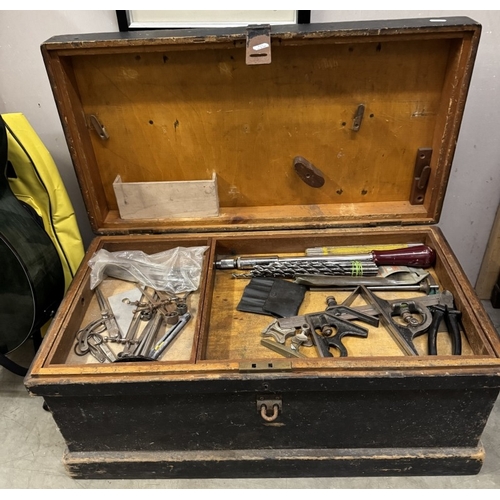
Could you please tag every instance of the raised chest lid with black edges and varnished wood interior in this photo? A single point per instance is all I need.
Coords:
(303, 126)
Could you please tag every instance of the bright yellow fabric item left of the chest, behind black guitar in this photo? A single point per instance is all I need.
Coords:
(39, 184)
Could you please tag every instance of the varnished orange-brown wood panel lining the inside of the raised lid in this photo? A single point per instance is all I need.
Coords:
(205, 111)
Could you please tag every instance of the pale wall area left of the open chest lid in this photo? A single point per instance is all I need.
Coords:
(25, 88)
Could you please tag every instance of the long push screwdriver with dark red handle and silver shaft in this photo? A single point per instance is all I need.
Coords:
(421, 256)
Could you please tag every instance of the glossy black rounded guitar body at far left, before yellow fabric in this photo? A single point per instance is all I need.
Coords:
(32, 278)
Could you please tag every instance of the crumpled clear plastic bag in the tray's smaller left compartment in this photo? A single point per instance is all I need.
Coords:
(176, 271)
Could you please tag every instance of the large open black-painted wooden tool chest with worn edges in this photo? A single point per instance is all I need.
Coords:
(267, 141)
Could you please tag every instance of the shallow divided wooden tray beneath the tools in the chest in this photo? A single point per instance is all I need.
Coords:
(221, 334)
